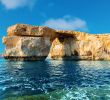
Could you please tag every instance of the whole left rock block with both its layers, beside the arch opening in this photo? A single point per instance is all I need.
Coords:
(25, 42)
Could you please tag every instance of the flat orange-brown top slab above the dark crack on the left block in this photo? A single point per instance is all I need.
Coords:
(32, 31)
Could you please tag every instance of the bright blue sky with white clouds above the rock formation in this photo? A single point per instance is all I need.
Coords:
(91, 16)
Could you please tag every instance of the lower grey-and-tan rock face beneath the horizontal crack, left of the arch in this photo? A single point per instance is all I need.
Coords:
(26, 48)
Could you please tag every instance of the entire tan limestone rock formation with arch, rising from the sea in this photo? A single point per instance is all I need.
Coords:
(26, 42)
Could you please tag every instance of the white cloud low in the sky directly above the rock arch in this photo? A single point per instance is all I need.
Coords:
(67, 23)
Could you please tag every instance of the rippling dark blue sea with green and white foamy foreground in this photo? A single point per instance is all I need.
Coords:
(54, 80)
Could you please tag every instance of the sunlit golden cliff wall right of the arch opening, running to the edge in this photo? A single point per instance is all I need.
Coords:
(81, 46)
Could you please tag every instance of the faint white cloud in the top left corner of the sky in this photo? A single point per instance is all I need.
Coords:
(13, 4)
